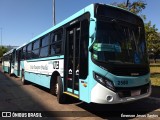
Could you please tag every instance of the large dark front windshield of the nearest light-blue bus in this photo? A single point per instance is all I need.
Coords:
(120, 42)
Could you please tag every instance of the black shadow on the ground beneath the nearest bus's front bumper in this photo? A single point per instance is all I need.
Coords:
(110, 111)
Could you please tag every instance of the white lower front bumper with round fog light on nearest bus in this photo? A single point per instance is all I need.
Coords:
(102, 95)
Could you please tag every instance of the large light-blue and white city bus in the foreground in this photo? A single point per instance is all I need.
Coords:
(97, 55)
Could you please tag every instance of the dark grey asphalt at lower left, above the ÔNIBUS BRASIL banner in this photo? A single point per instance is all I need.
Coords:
(14, 98)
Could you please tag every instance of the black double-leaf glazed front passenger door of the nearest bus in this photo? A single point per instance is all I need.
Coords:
(71, 81)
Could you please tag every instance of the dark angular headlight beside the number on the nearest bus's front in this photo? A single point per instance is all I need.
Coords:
(104, 81)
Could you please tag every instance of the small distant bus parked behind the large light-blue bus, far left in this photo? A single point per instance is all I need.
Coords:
(8, 61)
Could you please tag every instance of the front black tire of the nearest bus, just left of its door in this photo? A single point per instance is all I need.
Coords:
(61, 97)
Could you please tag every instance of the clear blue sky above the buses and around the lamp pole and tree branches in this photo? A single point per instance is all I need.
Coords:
(21, 20)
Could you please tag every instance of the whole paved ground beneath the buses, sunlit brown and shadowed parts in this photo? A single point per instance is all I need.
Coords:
(15, 97)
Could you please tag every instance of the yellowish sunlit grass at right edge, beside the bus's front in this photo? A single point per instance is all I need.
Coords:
(155, 75)
